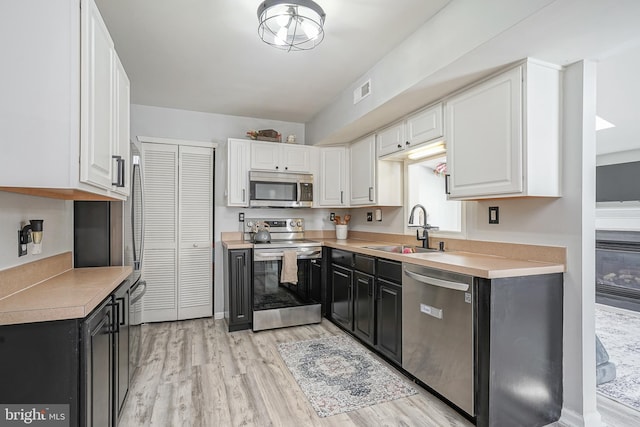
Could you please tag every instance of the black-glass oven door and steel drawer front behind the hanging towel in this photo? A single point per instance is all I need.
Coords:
(277, 304)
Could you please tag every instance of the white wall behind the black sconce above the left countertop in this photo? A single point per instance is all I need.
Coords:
(17, 209)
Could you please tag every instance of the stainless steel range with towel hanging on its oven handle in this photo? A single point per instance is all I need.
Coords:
(281, 300)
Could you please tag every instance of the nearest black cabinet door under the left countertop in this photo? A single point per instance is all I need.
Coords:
(98, 352)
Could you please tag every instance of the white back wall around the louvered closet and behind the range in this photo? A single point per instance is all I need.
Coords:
(197, 126)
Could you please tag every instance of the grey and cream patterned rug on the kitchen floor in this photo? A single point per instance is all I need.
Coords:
(338, 375)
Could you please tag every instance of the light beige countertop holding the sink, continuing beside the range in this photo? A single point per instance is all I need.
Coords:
(460, 261)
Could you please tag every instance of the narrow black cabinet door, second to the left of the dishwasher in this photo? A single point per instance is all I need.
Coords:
(363, 307)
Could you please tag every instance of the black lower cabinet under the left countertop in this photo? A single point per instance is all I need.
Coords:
(76, 362)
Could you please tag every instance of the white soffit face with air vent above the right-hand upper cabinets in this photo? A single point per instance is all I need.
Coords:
(421, 55)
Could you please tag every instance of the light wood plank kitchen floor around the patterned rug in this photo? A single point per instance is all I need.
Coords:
(195, 373)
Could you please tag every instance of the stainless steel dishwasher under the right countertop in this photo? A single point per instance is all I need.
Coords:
(438, 332)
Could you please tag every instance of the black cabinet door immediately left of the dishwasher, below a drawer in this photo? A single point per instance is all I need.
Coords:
(389, 320)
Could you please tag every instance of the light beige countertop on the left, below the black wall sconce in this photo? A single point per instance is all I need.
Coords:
(72, 294)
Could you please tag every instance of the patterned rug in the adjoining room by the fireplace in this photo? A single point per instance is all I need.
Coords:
(620, 335)
